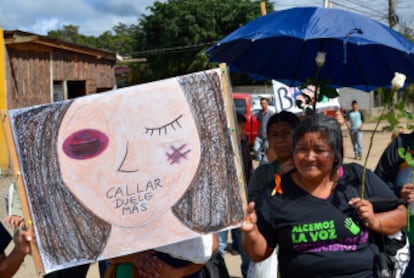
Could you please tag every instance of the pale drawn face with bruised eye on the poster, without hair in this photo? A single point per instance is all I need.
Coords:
(129, 156)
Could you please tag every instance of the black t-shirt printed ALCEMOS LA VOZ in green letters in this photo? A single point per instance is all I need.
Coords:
(318, 237)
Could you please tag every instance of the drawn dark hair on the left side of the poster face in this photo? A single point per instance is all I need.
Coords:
(66, 229)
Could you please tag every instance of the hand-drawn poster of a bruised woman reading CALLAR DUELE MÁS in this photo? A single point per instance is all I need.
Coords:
(129, 170)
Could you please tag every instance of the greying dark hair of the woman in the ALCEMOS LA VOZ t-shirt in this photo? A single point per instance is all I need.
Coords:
(327, 126)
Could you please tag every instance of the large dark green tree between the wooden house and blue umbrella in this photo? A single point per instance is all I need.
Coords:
(174, 35)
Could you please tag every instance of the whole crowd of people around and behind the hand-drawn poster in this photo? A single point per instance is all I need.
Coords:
(306, 216)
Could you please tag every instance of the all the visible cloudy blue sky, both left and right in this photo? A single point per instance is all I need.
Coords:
(94, 17)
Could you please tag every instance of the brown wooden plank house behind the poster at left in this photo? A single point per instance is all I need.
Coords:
(41, 70)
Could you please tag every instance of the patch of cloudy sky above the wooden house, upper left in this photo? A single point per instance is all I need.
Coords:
(93, 17)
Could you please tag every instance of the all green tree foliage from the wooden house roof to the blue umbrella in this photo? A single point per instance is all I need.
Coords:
(173, 36)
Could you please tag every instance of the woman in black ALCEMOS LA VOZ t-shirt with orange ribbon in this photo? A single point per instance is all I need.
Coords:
(321, 225)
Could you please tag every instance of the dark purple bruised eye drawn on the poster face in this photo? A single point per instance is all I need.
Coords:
(85, 143)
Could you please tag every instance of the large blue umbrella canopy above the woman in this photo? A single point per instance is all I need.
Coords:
(360, 52)
